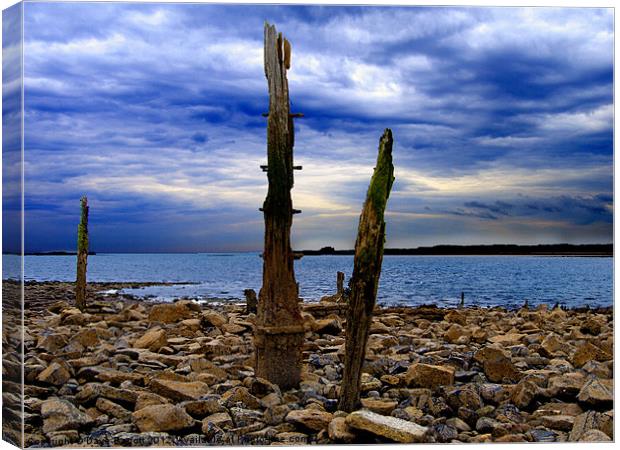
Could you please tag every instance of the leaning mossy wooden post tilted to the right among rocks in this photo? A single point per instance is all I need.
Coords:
(366, 272)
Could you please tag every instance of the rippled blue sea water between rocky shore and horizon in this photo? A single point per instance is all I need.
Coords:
(405, 280)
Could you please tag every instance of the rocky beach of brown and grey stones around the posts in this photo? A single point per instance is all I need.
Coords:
(127, 372)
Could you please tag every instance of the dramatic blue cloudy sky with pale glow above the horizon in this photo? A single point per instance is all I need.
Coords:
(502, 121)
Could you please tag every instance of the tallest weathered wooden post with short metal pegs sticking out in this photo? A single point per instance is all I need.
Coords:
(279, 333)
